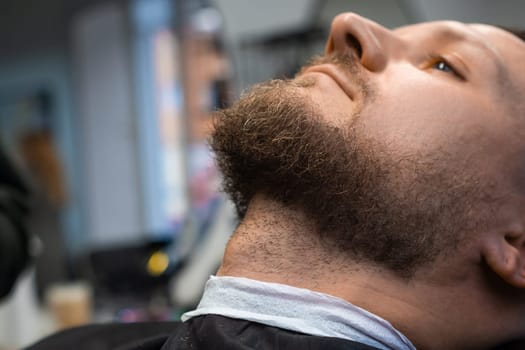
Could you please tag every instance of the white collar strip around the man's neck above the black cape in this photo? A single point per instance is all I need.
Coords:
(297, 309)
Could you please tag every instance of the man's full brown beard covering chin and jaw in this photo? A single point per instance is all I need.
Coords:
(395, 211)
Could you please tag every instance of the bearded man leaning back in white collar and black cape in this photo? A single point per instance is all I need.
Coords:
(382, 197)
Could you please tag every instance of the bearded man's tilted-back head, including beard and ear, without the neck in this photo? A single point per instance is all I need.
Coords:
(399, 144)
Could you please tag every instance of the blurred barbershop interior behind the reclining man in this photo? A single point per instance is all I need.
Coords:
(105, 107)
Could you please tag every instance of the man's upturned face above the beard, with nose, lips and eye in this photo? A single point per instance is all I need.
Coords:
(439, 84)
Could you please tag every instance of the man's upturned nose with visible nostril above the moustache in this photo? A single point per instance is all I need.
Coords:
(353, 34)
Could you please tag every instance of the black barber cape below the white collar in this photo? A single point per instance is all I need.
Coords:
(199, 333)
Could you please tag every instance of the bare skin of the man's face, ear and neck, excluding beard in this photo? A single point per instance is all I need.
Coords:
(437, 85)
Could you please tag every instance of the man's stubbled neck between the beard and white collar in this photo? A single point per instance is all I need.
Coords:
(278, 244)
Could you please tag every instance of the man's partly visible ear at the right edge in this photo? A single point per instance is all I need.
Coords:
(505, 255)
